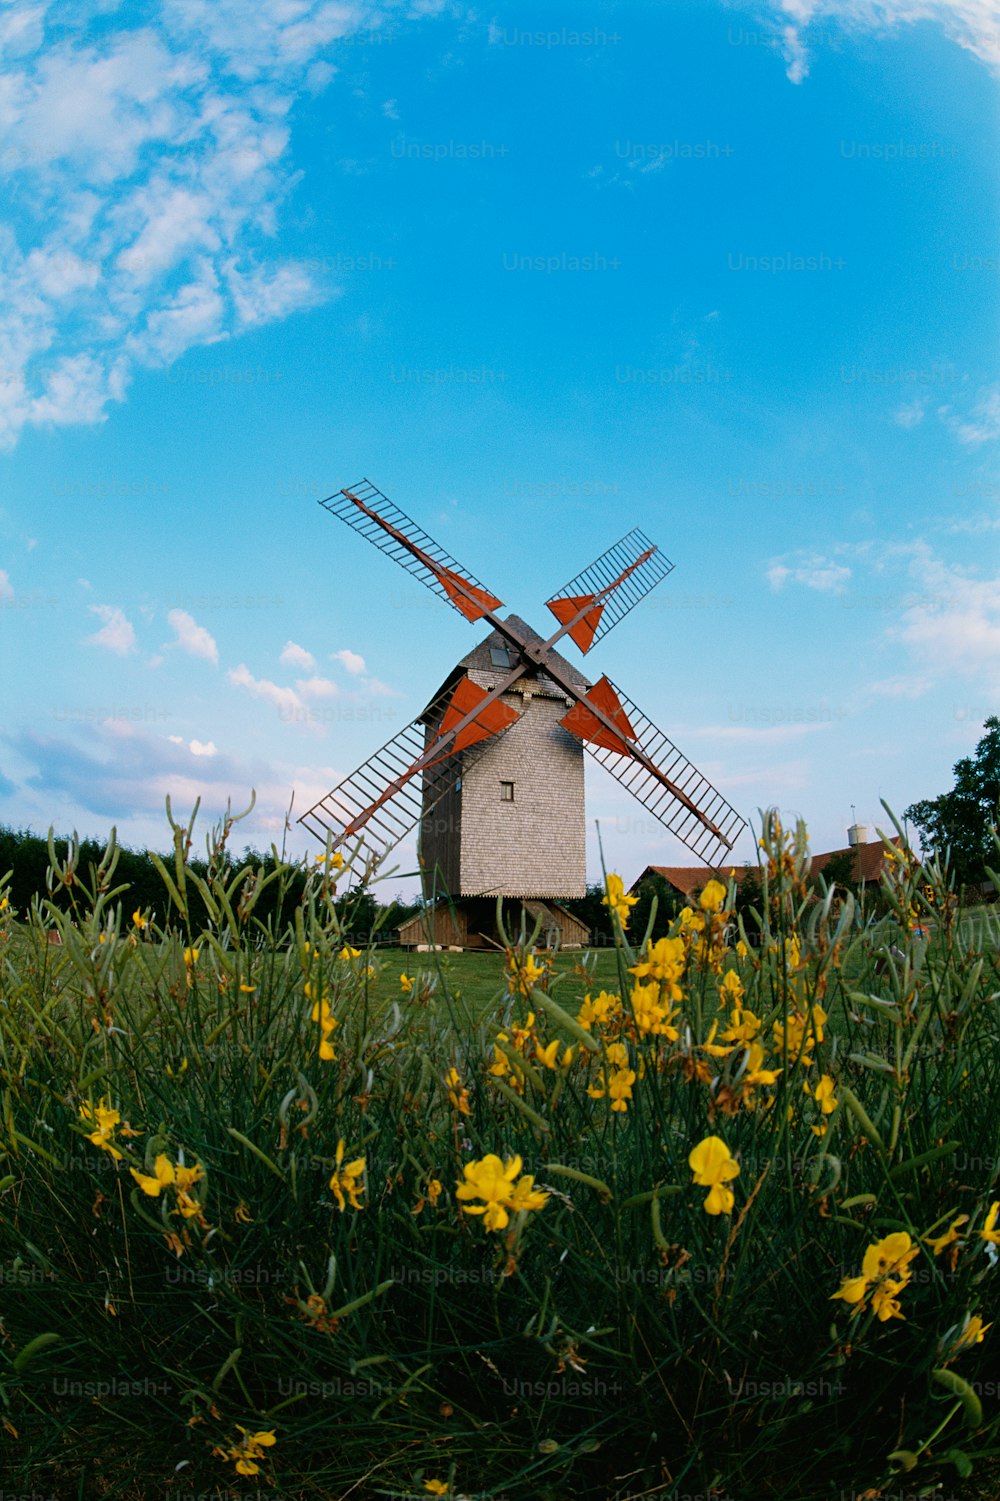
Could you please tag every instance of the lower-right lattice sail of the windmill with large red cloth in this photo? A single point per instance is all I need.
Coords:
(655, 772)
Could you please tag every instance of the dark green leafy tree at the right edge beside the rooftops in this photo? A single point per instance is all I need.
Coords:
(962, 822)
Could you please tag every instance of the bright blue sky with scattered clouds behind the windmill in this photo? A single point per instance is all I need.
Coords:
(726, 272)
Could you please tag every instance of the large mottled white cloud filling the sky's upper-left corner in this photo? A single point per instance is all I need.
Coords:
(149, 161)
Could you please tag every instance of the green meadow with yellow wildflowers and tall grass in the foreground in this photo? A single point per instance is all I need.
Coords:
(727, 1230)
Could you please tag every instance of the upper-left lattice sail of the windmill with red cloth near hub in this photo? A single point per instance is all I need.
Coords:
(393, 532)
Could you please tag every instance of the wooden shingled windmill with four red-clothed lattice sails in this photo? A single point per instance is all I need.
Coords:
(496, 787)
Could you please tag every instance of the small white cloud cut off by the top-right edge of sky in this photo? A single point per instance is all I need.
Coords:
(971, 25)
